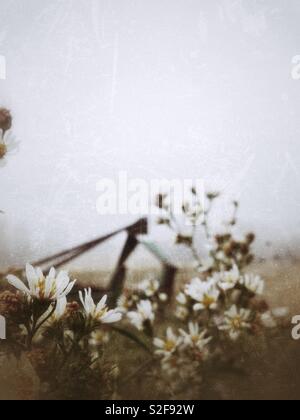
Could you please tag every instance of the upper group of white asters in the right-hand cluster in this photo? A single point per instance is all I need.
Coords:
(224, 301)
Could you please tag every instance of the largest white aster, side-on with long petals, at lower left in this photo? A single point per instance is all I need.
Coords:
(50, 288)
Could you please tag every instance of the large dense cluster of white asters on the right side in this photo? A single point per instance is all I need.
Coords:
(218, 311)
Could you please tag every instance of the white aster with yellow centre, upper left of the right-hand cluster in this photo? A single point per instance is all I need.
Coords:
(205, 293)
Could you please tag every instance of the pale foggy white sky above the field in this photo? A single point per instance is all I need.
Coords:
(157, 88)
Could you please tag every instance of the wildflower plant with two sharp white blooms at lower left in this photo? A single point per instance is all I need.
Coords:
(64, 340)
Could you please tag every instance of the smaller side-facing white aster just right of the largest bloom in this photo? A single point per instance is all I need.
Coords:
(99, 312)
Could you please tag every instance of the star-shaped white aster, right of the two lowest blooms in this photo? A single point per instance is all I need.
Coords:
(236, 321)
